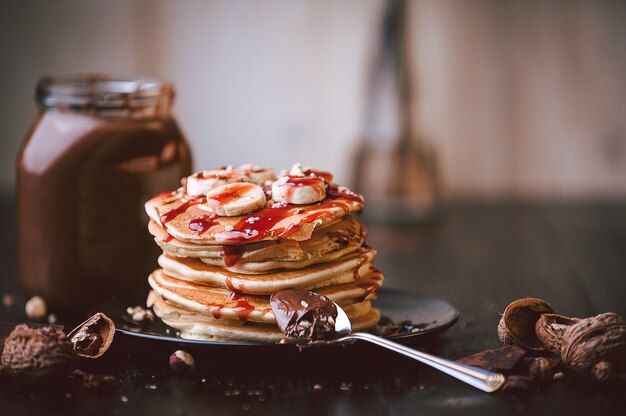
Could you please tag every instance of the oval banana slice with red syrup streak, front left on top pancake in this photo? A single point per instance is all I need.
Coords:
(235, 199)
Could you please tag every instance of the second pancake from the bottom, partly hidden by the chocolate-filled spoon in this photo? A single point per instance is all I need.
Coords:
(219, 303)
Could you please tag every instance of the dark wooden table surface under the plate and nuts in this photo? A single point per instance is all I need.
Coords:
(479, 257)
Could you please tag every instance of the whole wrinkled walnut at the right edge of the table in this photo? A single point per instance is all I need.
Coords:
(596, 346)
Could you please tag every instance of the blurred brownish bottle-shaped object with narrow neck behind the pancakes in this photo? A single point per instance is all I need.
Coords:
(393, 169)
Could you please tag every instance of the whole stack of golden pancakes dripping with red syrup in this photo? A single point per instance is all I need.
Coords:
(217, 273)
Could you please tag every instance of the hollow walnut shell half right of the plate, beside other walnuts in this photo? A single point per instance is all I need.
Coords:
(517, 325)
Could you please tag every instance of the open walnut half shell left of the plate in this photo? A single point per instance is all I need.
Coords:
(92, 338)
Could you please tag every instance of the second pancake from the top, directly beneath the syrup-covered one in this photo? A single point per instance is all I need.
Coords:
(329, 243)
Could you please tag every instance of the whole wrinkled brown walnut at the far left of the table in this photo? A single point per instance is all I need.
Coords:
(33, 354)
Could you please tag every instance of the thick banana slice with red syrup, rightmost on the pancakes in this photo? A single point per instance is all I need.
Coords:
(299, 190)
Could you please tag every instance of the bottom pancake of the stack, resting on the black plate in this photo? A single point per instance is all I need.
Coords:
(196, 326)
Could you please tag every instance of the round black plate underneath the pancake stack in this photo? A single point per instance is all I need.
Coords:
(426, 315)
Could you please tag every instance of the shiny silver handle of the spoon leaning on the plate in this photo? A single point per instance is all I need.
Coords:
(484, 380)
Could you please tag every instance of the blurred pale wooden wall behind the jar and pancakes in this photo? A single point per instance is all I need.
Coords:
(519, 98)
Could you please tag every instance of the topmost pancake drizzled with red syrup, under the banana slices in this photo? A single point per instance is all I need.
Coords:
(190, 219)
